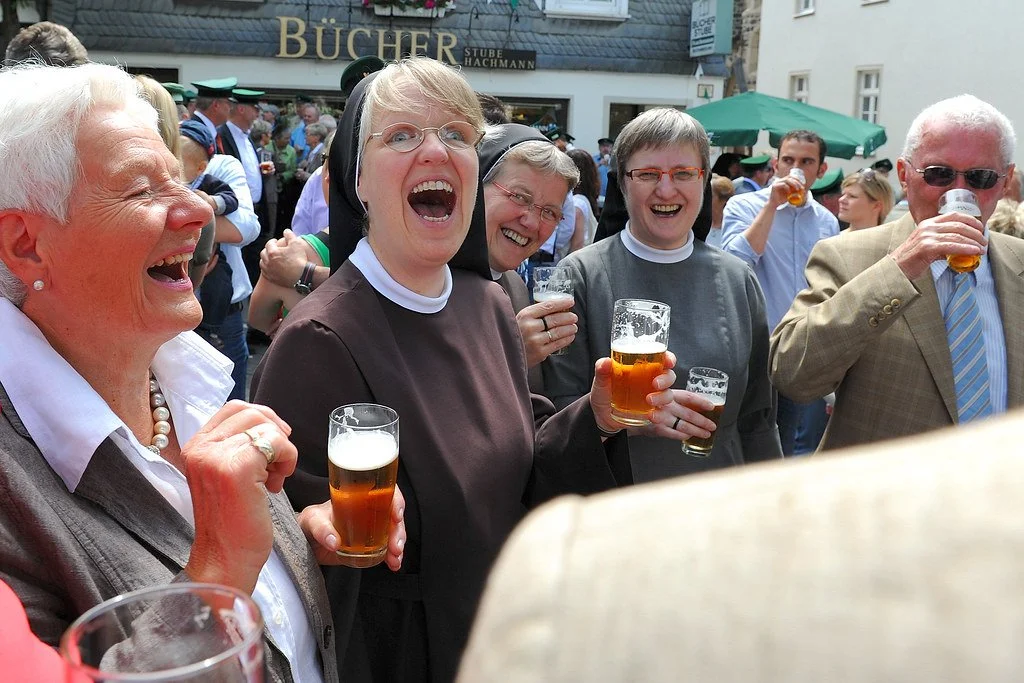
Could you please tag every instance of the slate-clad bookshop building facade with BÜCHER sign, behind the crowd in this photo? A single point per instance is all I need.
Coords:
(585, 66)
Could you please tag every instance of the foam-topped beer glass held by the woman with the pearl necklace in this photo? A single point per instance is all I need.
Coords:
(363, 467)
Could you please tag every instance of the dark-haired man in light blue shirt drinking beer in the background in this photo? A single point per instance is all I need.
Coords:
(776, 238)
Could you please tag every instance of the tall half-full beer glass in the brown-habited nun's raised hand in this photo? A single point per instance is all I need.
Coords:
(639, 340)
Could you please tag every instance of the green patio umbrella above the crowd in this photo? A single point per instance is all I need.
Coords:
(737, 121)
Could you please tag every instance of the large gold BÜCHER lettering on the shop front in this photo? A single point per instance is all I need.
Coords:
(326, 40)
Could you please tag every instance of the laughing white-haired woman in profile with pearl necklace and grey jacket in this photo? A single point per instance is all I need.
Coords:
(121, 466)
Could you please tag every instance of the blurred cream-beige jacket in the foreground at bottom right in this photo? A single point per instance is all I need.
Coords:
(895, 563)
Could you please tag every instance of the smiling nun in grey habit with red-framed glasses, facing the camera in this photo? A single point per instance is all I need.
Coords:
(718, 310)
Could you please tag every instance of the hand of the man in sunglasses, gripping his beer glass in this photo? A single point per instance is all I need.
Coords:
(937, 238)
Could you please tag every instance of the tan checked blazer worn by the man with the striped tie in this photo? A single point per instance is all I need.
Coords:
(865, 331)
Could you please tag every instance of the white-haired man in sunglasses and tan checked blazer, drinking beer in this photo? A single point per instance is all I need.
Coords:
(908, 344)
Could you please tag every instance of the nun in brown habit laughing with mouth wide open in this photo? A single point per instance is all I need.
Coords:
(413, 320)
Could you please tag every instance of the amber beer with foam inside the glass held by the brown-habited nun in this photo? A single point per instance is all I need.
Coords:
(634, 367)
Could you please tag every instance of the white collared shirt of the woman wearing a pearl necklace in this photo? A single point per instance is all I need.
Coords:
(69, 421)
